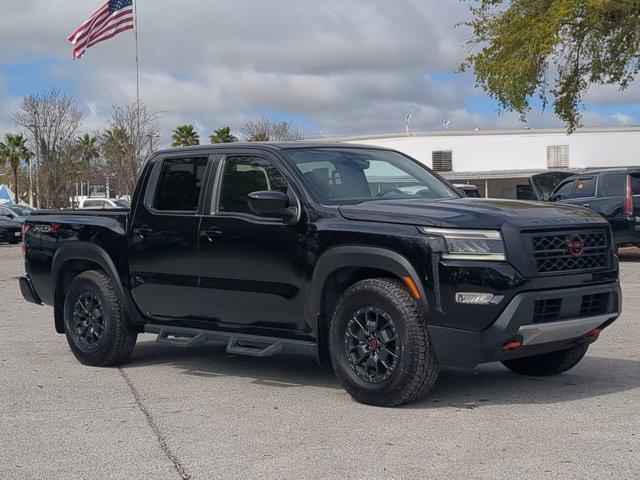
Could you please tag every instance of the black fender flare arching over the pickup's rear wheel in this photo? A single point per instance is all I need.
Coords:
(96, 254)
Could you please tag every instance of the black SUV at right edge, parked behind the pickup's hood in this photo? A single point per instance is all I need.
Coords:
(613, 193)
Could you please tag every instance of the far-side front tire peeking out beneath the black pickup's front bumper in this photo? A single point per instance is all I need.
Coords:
(547, 364)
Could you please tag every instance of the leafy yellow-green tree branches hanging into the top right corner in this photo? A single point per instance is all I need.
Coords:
(553, 49)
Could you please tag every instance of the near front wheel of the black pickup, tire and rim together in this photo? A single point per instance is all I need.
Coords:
(380, 350)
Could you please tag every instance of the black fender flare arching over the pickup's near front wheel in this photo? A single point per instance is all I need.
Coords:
(356, 256)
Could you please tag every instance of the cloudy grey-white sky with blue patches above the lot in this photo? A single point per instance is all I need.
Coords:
(333, 66)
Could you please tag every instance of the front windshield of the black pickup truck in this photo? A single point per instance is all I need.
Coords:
(354, 175)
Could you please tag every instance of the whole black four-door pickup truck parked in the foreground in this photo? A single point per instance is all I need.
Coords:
(360, 255)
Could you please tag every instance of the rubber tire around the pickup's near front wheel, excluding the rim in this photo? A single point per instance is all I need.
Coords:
(416, 370)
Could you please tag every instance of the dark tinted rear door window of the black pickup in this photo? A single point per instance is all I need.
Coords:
(180, 184)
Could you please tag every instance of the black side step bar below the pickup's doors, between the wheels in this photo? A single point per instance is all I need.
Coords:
(237, 343)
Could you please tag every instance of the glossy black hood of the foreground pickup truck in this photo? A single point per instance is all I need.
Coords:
(470, 213)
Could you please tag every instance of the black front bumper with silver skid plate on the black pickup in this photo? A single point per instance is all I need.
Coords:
(464, 348)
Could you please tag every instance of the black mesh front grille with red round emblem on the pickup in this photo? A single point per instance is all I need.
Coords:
(571, 251)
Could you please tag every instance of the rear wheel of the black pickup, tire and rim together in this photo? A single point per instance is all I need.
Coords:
(94, 321)
